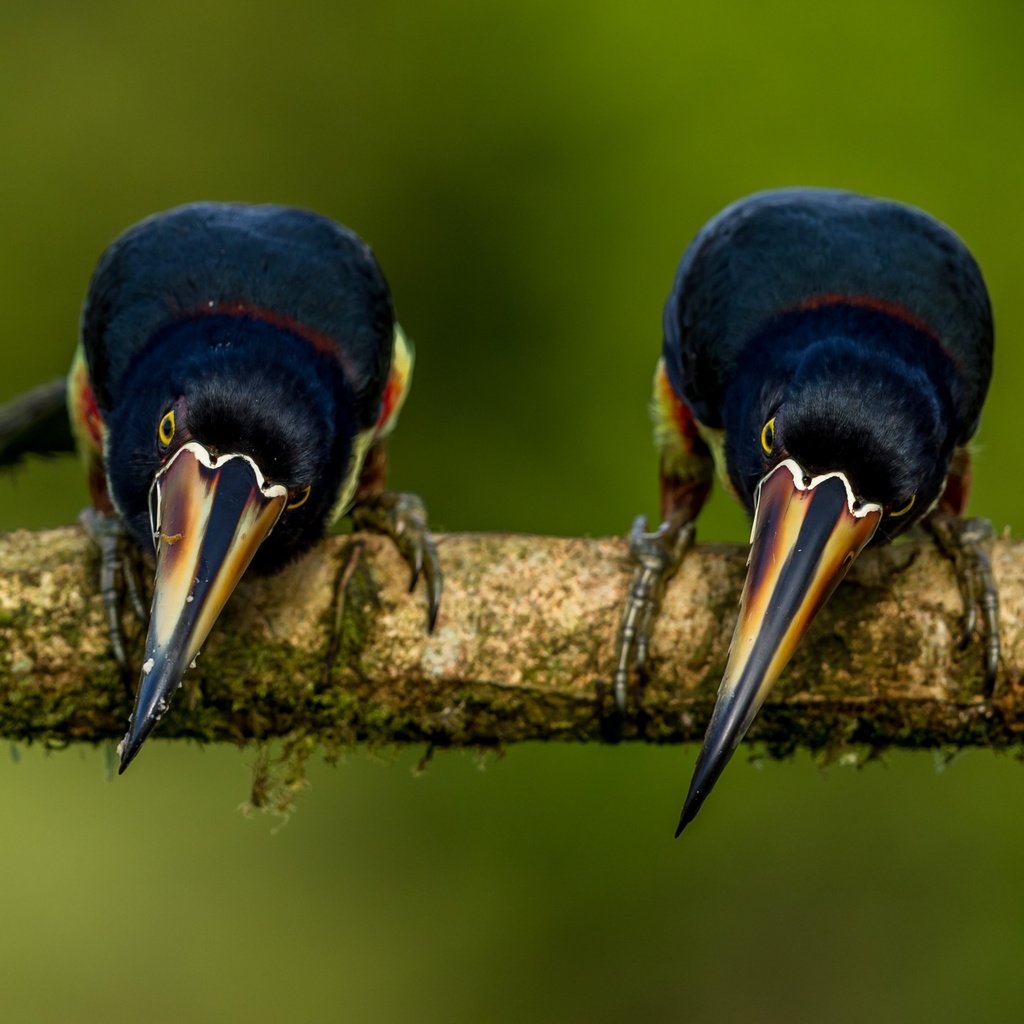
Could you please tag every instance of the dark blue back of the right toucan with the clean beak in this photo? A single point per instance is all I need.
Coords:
(776, 251)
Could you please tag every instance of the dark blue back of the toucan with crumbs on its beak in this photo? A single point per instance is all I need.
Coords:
(291, 268)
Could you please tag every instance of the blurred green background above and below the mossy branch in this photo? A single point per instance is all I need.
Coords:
(529, 175)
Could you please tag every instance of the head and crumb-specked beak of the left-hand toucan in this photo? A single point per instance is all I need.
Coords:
(232, 453)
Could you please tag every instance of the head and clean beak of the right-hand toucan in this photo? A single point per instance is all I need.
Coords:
(832, 442)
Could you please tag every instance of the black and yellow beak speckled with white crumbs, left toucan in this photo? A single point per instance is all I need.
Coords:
(209, 517)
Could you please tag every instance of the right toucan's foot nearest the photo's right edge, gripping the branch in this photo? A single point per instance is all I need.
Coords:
(966, 543)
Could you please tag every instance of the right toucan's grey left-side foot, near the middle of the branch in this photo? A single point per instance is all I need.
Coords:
(657, 557)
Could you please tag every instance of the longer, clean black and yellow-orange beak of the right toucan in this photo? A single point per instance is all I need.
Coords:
(806, 534)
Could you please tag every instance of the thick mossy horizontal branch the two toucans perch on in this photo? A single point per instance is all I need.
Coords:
(335, 649)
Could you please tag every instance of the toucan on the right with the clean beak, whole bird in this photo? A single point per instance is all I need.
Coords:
(828, 355)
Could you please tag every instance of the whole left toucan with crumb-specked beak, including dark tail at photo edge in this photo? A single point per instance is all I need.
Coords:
(239, 372)
